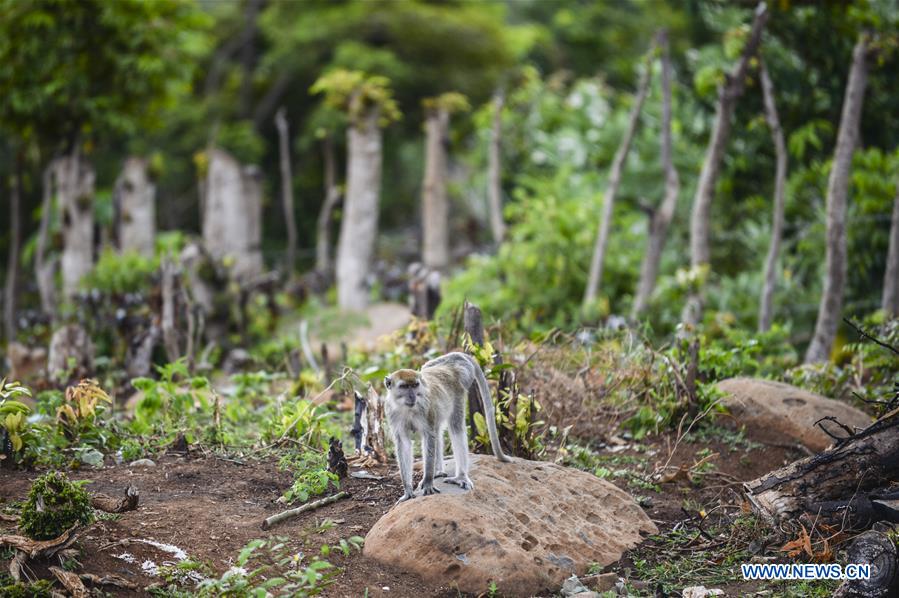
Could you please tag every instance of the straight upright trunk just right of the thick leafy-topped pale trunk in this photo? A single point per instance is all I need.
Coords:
(435, 212)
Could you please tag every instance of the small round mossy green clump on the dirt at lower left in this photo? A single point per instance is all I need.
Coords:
(54, 505)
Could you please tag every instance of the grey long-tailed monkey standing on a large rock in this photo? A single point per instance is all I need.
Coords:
(429, 401)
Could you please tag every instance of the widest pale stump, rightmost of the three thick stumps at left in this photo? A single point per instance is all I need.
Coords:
(232, 214)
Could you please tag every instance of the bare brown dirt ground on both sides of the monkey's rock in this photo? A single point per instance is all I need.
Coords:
(210, 508)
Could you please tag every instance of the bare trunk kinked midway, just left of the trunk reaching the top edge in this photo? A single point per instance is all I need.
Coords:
(662, 217)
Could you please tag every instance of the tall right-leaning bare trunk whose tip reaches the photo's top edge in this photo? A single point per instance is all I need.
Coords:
(708, 177)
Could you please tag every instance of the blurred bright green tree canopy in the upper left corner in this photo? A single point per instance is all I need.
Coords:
(110, 64)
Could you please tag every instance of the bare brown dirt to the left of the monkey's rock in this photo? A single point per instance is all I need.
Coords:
(211, 508)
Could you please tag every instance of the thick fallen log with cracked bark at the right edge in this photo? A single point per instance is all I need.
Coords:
(839, 486)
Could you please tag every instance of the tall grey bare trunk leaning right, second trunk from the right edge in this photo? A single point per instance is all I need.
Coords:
(830, 308)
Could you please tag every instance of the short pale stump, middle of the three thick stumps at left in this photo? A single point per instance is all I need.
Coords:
(135, 198)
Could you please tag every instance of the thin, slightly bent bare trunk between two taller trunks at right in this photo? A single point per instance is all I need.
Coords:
(780, 182)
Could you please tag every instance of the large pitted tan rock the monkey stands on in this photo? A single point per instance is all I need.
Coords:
(527, 526)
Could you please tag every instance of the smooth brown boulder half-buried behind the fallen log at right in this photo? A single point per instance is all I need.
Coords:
(778, 411)
